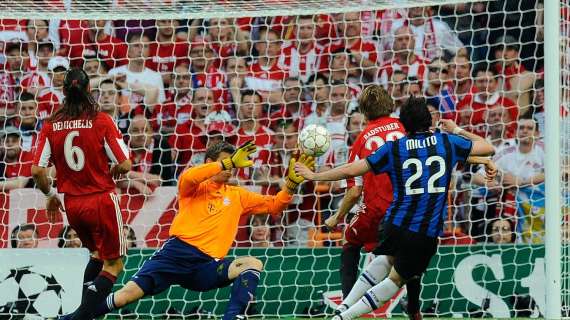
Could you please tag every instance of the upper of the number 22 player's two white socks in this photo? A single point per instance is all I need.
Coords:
(375, 272)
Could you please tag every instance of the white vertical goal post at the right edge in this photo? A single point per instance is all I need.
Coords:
(555, 86)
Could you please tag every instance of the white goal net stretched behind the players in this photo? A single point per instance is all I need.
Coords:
(179, 76)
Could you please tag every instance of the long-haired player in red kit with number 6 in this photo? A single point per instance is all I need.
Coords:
(80, 140)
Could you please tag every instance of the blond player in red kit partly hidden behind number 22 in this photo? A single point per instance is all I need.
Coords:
(376, 105)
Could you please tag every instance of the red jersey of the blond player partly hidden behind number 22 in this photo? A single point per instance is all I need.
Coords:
(377, 189)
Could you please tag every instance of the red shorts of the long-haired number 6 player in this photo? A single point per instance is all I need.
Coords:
(98, 222)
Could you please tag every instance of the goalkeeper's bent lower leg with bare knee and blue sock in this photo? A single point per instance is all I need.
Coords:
(245, 275)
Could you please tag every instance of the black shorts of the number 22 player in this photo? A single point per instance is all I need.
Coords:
(412, 251)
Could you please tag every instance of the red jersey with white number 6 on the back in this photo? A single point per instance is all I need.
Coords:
(81, 150)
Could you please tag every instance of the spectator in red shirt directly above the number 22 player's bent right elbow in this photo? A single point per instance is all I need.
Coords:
(486, 95)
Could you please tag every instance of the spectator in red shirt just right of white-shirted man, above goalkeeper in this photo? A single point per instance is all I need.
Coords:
(167, 50)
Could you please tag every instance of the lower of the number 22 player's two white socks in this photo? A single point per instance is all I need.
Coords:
(372, 300)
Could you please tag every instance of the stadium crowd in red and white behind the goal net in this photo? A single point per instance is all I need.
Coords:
(176, 87)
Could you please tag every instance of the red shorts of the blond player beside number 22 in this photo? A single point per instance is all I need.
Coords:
(363, 230)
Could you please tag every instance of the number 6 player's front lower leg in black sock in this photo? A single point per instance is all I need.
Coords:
(99, 289)
